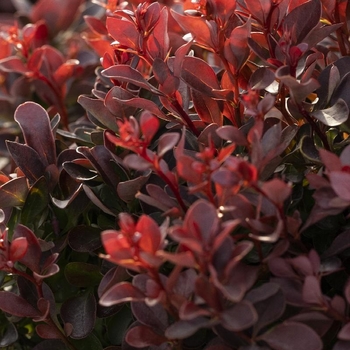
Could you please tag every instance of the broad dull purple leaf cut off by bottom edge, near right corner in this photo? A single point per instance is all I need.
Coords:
(283, 337)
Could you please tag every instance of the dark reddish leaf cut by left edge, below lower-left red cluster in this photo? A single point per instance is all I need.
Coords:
(16, 305)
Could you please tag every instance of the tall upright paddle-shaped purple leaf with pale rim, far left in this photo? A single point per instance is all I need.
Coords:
(35, 125)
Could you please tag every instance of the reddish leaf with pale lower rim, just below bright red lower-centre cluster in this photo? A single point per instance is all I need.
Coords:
(120, 293)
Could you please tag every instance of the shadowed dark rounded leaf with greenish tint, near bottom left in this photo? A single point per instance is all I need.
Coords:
(80, 312)
